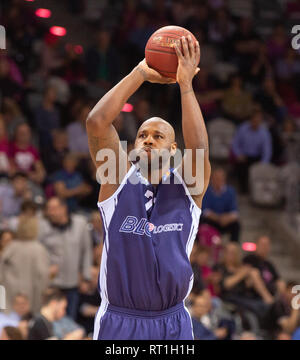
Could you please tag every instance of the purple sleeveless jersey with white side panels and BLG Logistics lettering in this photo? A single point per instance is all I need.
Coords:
(149, 235)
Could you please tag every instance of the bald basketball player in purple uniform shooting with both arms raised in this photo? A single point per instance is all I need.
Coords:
(145, 270)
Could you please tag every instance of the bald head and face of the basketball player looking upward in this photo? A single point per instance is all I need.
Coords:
(154, 140)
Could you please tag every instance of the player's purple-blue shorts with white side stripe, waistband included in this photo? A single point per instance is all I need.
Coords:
(127, 324)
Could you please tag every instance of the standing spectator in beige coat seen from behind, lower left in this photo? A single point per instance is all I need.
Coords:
(24, 263)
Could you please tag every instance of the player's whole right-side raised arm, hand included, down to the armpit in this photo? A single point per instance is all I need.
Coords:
(193, 126)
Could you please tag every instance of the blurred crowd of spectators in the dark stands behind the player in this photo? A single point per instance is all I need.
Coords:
(50, 230)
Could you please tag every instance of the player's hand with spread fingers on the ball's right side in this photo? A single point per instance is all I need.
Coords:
(188, 60)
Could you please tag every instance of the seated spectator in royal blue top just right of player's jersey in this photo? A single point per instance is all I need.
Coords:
(220, 207)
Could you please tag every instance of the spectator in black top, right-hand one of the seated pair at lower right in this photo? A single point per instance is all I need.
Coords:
(259, 260)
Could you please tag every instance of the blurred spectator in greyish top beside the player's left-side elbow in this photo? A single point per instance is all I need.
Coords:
(77, 136)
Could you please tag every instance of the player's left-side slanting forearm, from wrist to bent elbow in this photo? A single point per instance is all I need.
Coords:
(111, 104)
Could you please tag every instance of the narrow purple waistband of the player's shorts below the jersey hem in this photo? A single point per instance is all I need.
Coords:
(145, 313)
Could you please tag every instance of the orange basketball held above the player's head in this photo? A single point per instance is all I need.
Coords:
(160, 53)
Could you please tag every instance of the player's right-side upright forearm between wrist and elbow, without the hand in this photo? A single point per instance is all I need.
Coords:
(193, 126)
